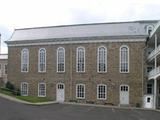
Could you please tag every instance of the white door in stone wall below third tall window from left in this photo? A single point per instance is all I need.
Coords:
(60, 92)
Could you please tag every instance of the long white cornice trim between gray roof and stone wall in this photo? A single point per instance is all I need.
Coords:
(74, 42)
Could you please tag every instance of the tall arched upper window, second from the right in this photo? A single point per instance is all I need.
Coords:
(102, 59)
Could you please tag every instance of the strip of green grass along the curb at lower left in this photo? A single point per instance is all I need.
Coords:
(31, 99)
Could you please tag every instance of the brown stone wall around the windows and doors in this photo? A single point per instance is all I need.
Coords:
(112, 78)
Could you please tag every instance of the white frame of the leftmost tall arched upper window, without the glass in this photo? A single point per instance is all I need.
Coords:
(22, 60)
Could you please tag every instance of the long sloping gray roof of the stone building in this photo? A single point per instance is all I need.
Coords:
(136, 28)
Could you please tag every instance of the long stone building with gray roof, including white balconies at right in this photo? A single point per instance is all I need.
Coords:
(103, 63)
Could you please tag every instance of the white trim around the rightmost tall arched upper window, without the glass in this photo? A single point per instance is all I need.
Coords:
(120, 59)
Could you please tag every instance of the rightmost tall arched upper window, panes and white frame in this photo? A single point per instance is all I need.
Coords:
(124, 59)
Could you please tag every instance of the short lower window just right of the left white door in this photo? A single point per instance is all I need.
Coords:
(80, 91)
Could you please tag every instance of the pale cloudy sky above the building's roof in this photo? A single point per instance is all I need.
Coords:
(16, 14)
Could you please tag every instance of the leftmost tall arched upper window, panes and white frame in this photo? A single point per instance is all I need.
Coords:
(24, 60)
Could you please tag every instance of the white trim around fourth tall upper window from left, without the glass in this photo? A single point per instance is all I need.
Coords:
(77, 59)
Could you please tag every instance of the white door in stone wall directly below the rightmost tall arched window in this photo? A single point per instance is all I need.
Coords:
(124, 94)
